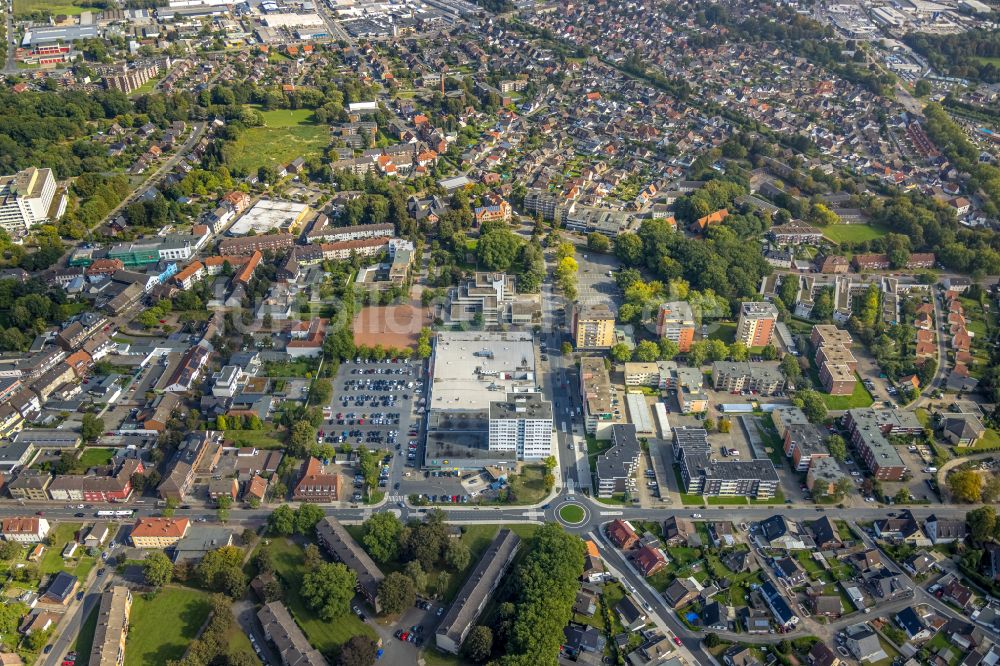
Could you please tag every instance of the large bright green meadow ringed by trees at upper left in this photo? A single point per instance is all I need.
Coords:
(285, 135)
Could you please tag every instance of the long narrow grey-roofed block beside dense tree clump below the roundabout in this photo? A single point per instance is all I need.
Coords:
(476, 591)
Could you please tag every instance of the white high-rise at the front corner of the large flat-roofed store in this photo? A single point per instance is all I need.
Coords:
(522, 423)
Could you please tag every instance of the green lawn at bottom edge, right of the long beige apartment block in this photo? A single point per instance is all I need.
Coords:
(162, 627)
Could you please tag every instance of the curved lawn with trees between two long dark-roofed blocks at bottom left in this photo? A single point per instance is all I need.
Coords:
(324, 636)
